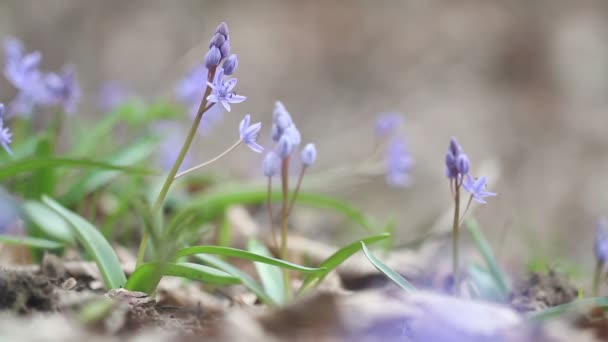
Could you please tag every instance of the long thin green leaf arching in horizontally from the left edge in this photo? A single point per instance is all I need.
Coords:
(15, 167)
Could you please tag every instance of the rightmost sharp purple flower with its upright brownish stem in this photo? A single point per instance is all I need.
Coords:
(457, 166)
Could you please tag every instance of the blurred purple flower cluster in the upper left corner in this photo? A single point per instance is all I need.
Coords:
(35, 87)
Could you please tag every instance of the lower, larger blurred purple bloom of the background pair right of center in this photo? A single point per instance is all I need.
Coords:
(399, 163)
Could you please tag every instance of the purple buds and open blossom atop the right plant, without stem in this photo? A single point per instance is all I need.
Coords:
(457, 167)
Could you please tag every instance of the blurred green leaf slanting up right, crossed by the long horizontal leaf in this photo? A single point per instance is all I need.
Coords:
(130, 155)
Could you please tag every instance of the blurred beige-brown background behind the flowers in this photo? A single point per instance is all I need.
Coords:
(520, 83)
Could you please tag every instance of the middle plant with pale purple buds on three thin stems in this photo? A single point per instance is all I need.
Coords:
(287, 138)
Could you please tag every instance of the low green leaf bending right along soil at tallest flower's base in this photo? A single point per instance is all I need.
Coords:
(143, 279)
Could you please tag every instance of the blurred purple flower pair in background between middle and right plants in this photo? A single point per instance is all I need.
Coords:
(399, 161)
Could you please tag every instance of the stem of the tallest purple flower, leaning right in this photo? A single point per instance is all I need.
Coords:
(178, 162)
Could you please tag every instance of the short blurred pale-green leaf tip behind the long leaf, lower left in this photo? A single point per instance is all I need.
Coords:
(48, 221)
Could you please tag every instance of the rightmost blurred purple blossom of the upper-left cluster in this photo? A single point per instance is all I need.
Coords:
(64, 89)
